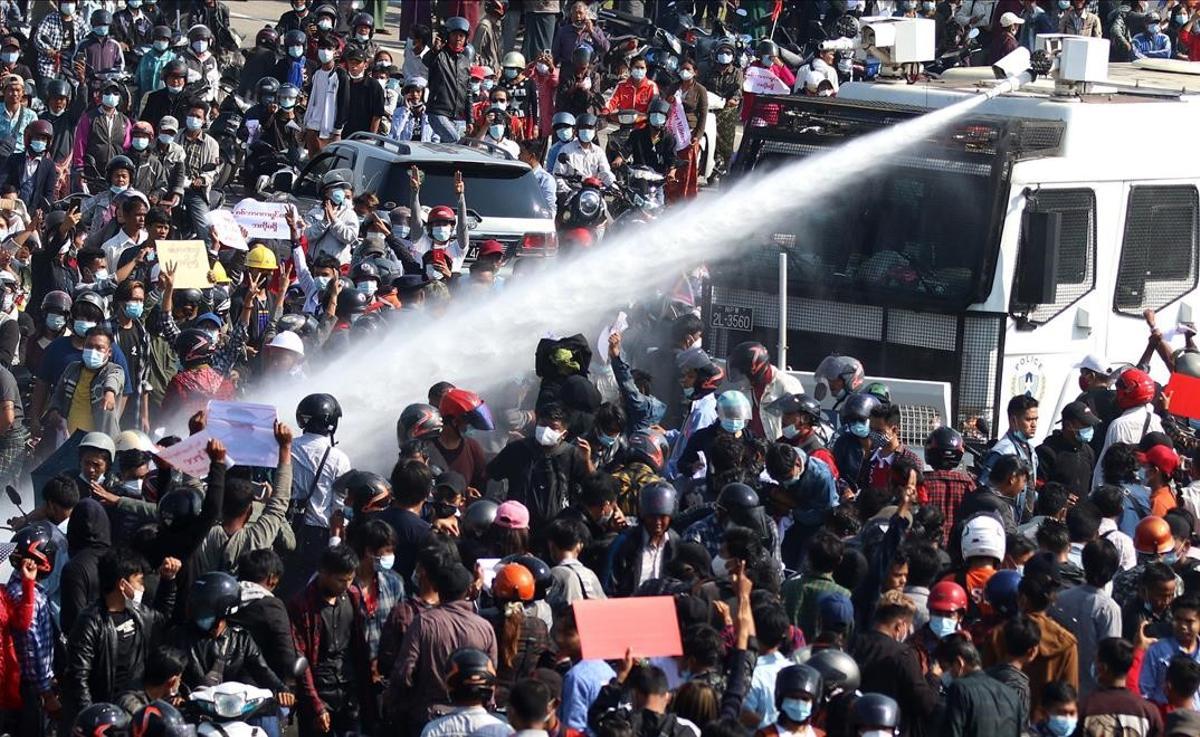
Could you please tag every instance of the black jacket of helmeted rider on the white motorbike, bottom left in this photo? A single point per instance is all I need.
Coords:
(235, 656)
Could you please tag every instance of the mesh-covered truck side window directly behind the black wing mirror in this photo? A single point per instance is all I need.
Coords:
(1077, 248)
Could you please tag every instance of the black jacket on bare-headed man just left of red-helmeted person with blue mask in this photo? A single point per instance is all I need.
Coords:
(892, 669)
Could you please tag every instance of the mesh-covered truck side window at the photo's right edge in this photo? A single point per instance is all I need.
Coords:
(1159, 256)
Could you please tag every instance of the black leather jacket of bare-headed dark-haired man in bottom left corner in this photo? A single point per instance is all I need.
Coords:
(92, 656)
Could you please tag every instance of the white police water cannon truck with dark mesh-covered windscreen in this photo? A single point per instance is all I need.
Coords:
(989, 259)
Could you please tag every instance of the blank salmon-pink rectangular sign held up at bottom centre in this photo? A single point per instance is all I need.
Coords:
(647, 626)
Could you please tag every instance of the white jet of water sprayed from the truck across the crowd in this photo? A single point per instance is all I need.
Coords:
(485, 343)
